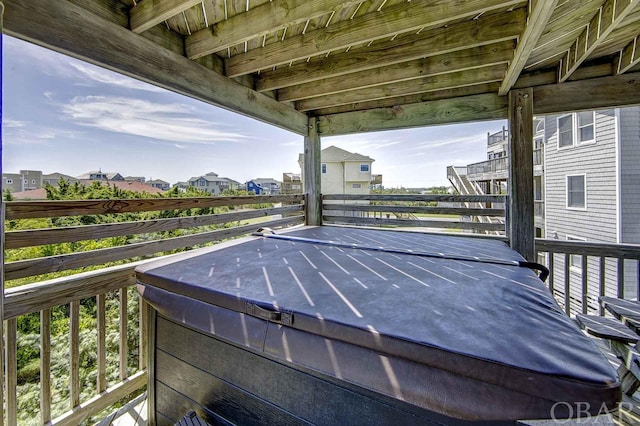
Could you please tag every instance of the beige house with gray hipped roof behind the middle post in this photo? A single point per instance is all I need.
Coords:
(343, 172)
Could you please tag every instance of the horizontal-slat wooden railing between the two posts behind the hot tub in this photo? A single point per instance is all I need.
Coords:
(443, 212)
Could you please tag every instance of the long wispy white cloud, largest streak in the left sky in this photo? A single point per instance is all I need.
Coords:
(167, 122)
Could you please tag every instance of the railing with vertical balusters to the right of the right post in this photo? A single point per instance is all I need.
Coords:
(583, 271)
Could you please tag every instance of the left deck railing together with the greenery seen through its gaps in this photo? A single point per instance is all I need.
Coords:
(95, 313)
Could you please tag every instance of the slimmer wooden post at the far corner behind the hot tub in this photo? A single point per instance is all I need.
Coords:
(312, 176)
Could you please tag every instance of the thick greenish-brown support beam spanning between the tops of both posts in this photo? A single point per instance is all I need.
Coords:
(446, 111)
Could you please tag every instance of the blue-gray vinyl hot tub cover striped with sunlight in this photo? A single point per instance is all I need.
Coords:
(469, 340)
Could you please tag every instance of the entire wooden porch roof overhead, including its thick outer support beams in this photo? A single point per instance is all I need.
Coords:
(353, 65)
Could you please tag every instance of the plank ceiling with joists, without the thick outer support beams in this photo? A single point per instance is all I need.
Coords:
(329, 57)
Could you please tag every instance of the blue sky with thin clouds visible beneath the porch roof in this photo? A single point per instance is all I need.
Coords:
(64, 115)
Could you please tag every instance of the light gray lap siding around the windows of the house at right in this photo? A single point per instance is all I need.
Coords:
(598, 223)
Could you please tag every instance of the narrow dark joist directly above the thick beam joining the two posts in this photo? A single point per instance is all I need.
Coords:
(476, 89)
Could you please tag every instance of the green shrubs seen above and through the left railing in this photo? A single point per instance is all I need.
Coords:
(28, 353)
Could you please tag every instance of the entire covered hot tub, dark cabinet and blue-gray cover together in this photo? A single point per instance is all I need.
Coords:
(331, 325)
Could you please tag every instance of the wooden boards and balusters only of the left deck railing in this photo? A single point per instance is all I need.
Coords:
(71, 290)
